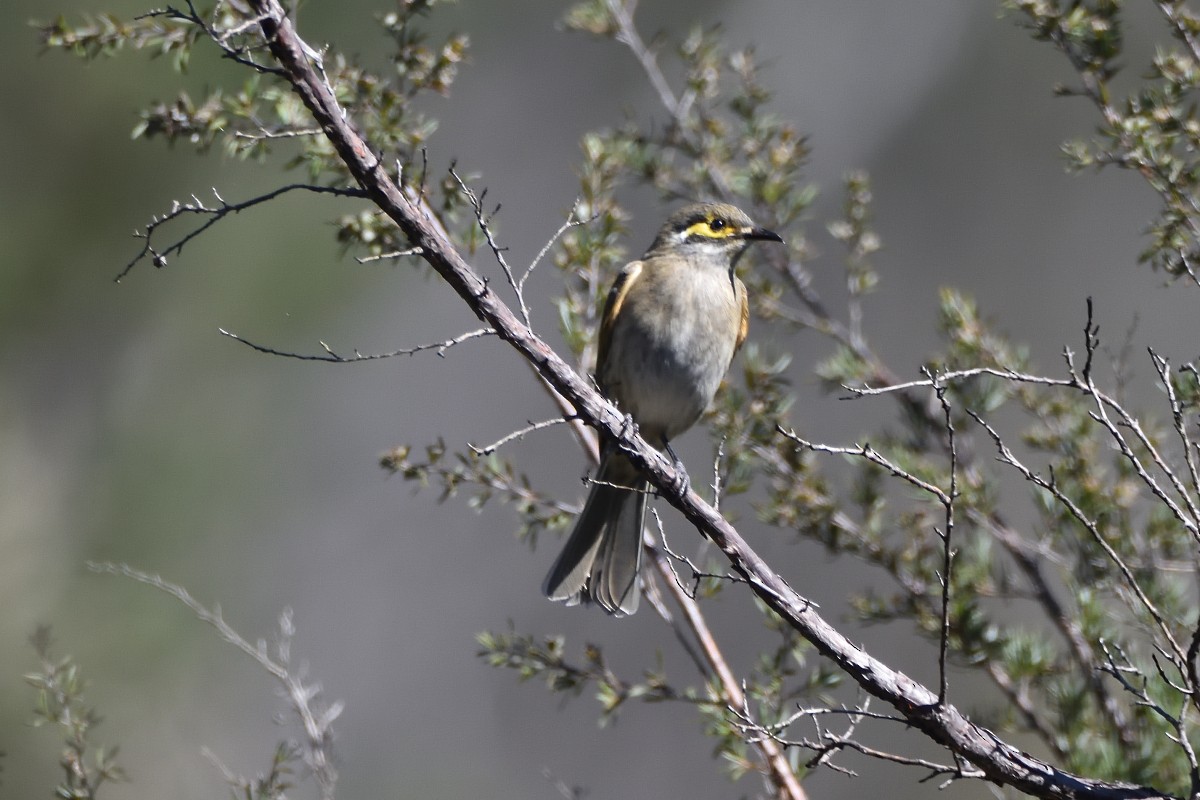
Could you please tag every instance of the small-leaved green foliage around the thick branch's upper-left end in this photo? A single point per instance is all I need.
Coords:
(265, 118)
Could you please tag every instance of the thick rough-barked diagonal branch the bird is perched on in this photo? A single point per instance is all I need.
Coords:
(941, 721)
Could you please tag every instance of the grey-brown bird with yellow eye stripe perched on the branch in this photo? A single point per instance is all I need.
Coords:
(671, 326)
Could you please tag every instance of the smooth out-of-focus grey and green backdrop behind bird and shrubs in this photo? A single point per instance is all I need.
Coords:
(131, 431)
